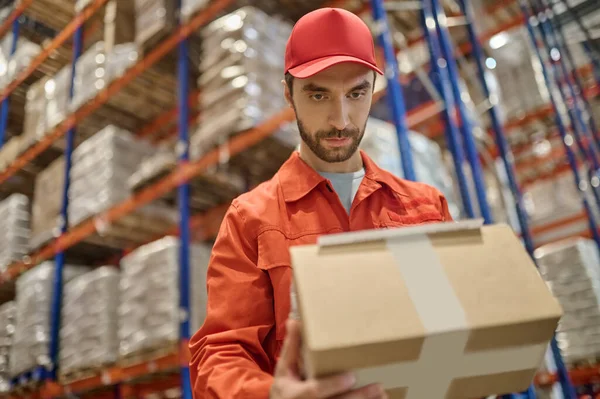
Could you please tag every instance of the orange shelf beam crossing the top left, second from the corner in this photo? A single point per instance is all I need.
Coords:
(62, 37)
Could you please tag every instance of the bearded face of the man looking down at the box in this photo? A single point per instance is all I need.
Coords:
(332, 108)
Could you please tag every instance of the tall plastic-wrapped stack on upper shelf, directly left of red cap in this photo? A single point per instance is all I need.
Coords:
(243, 51)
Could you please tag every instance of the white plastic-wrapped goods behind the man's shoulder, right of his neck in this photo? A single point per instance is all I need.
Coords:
(380, 142)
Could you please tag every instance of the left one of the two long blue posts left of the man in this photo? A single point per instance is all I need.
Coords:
(59, 260)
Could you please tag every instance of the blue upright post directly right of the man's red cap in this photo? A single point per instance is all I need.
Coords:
(394, 90)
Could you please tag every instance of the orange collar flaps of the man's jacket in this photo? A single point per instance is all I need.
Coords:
(297, 179)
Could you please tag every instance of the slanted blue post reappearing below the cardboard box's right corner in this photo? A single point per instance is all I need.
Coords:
(508, 161)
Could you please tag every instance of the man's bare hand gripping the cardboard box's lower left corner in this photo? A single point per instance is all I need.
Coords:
(289, 385)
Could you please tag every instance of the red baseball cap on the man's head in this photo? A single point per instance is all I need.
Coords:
(326, 37)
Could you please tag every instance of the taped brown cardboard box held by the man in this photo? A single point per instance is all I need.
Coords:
(451, 310)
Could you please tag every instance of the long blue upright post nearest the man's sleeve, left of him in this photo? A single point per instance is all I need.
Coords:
(183, 197)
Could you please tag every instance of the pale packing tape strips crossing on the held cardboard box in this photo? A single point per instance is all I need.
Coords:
(447, 331)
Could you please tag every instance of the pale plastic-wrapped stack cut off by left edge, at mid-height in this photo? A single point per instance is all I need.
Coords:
(15, 231)
